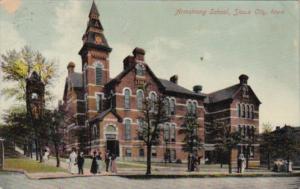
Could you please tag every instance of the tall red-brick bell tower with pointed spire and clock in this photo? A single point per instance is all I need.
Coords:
(95, 61)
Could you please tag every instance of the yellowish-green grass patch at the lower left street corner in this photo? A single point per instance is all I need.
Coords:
(31, 166)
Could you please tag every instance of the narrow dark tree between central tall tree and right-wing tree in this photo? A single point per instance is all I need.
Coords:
(192, 140)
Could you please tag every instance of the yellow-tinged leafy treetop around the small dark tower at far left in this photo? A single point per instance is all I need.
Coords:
(18, 65)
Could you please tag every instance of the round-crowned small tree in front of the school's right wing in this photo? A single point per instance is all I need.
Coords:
(225, 138)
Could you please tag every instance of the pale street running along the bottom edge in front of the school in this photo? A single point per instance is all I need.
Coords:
(19, 181)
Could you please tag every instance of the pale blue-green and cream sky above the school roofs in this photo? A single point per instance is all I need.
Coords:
(263, 43)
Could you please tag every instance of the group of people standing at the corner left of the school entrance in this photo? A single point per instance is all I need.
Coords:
(76, 162)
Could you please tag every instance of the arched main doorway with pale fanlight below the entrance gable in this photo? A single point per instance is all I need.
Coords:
(112, 143)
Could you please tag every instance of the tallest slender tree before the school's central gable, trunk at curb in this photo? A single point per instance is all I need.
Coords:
(152, 118)
